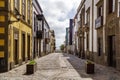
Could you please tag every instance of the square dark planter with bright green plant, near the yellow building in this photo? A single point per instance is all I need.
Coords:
(31, 67)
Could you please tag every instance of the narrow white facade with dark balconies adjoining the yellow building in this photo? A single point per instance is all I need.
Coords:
(37, 28)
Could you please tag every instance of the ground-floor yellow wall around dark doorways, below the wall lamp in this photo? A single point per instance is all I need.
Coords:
(21, 28)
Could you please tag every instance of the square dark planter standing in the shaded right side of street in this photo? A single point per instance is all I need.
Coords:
(89, 67)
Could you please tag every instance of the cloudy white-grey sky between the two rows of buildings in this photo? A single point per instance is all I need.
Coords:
(57, 14)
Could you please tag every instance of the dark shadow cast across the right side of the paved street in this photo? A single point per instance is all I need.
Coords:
(101, 72)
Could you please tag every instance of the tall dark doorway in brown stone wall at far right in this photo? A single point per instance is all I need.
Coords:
(111, 51)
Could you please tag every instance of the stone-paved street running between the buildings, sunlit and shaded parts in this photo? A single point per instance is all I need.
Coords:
(59, 66)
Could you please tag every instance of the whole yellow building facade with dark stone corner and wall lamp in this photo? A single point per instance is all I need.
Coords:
(15, 33)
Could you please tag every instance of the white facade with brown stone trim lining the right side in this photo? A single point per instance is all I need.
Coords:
(98, 31)
